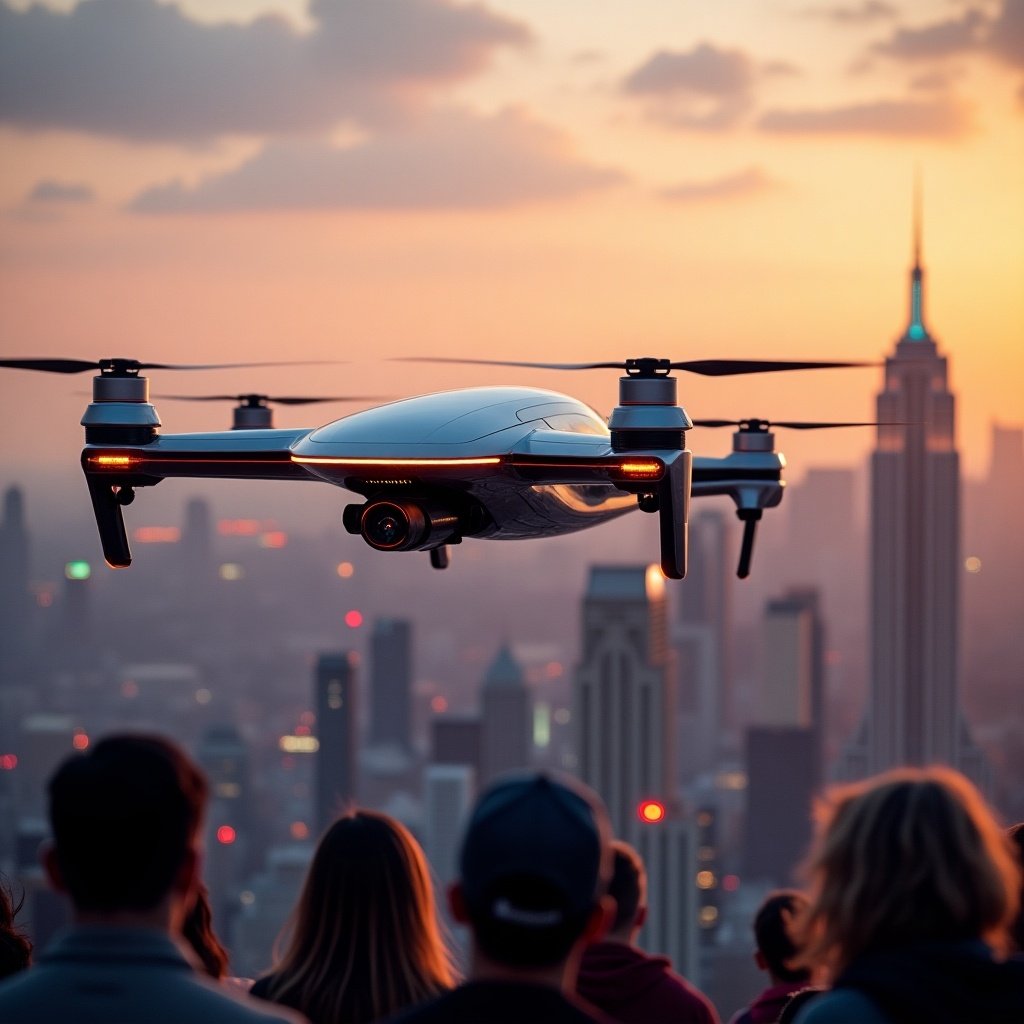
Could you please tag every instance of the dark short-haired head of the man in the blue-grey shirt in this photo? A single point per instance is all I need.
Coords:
(126, 817)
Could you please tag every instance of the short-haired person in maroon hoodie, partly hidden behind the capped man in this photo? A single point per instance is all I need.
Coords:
(627, 984)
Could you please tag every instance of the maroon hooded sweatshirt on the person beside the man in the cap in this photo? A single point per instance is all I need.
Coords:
(636, 989)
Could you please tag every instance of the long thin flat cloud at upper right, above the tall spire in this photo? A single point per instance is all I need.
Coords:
(940, 118)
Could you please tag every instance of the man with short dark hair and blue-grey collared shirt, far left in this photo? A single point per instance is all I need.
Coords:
(125, 820)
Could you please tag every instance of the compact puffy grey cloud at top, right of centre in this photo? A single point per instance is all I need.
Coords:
(704, 89)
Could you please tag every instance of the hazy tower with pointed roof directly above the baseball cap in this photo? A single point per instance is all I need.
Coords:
(506, 717)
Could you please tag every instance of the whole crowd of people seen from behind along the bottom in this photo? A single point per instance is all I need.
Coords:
(912, 914)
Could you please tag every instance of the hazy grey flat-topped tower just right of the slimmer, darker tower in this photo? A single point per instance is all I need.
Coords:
(392, 682)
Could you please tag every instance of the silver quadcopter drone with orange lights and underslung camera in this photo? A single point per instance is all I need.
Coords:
(492, 463)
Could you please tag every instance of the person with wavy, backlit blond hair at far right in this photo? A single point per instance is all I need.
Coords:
(914, 887)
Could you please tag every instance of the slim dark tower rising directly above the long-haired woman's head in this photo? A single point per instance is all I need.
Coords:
(335, 772)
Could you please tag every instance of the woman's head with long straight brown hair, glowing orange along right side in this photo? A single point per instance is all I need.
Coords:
(364, 942)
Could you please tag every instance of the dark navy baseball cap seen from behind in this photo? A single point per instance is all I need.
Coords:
(536, 855)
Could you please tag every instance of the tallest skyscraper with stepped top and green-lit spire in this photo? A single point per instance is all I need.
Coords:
(913, 715)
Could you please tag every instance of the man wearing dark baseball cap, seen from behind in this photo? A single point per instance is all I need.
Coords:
(534, 869)
